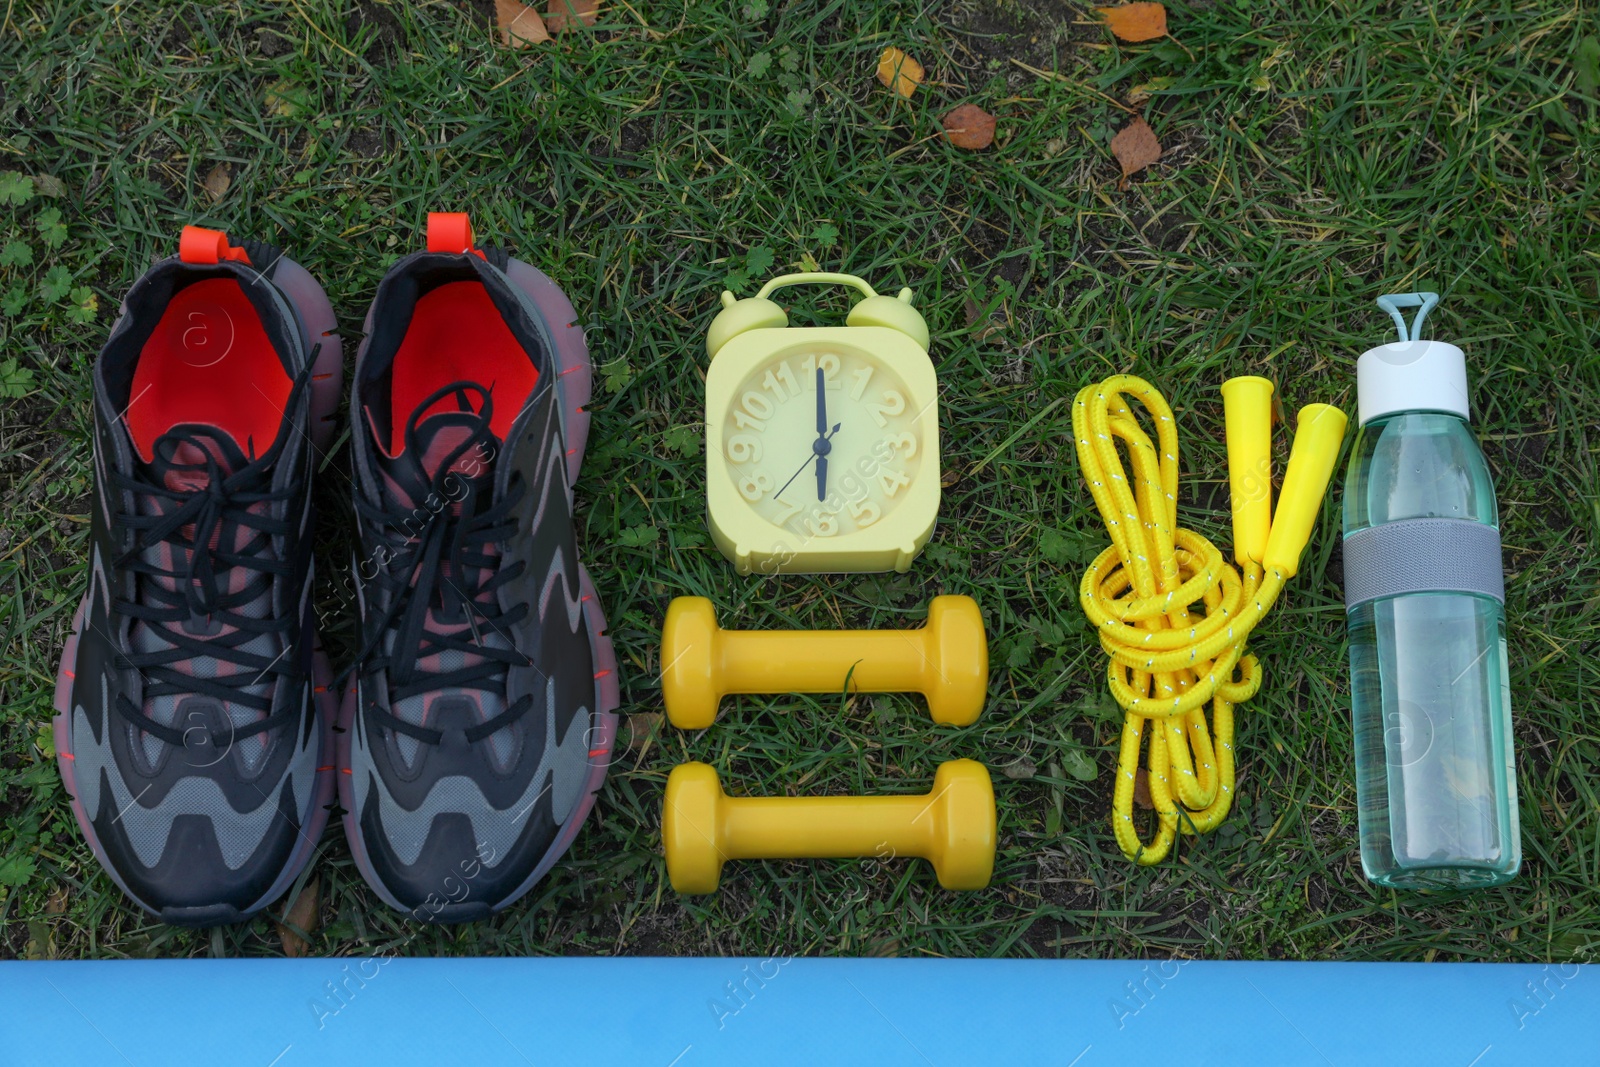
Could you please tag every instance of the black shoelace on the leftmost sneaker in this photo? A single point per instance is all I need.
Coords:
(199, 527)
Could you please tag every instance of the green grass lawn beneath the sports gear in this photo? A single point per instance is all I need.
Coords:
(1318, 156)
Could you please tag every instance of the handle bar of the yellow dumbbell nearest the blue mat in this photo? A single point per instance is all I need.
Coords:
(825, 828)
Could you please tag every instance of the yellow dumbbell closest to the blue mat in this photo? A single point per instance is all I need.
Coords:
(953, 828)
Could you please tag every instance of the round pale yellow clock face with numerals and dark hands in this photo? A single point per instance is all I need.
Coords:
(823, 441)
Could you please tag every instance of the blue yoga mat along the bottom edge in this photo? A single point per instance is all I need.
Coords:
(689, 1012)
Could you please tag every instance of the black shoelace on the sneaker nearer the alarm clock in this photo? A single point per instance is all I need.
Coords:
(441, 565)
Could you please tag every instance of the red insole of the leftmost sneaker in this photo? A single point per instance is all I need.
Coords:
(209, 362)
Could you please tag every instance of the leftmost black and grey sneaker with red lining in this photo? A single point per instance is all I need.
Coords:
(193, 709)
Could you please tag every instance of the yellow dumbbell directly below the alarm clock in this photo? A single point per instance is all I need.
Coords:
(946, 661)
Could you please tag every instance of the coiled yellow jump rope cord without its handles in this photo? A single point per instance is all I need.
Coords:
(1142, 594)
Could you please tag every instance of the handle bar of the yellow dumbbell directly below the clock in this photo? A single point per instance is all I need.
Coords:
(817, 661)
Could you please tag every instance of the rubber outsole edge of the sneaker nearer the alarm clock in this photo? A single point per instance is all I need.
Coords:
(575, 385)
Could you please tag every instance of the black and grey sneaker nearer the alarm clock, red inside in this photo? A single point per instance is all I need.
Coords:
(481, 722)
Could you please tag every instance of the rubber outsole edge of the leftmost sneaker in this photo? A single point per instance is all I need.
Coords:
(319, 322)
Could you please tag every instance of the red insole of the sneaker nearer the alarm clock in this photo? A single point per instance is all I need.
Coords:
(458, 334)
